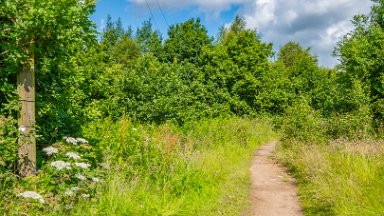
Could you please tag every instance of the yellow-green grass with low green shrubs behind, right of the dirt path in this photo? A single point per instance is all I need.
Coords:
(338, 167)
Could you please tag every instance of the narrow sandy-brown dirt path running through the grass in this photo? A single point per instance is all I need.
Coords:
(273, 192)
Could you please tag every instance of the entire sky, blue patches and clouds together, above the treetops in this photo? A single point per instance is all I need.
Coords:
(318, 24)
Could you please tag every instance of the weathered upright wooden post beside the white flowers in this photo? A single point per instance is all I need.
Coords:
(27, 140)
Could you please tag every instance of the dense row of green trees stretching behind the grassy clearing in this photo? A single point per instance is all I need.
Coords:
(189, 75)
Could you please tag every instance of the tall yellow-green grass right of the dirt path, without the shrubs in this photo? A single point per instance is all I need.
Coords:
(342, 178)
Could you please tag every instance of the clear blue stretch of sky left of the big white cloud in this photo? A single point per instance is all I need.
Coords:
(134, 14)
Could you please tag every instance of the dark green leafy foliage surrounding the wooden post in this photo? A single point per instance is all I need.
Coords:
(49, 32)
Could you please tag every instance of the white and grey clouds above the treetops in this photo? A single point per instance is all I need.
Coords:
(318, 24)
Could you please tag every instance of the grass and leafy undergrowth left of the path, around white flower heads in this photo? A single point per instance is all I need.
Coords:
(201, 168)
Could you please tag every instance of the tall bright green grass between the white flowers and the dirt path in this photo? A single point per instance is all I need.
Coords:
(201, 168)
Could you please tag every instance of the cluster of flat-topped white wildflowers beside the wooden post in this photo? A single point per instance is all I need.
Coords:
(69, 167)
